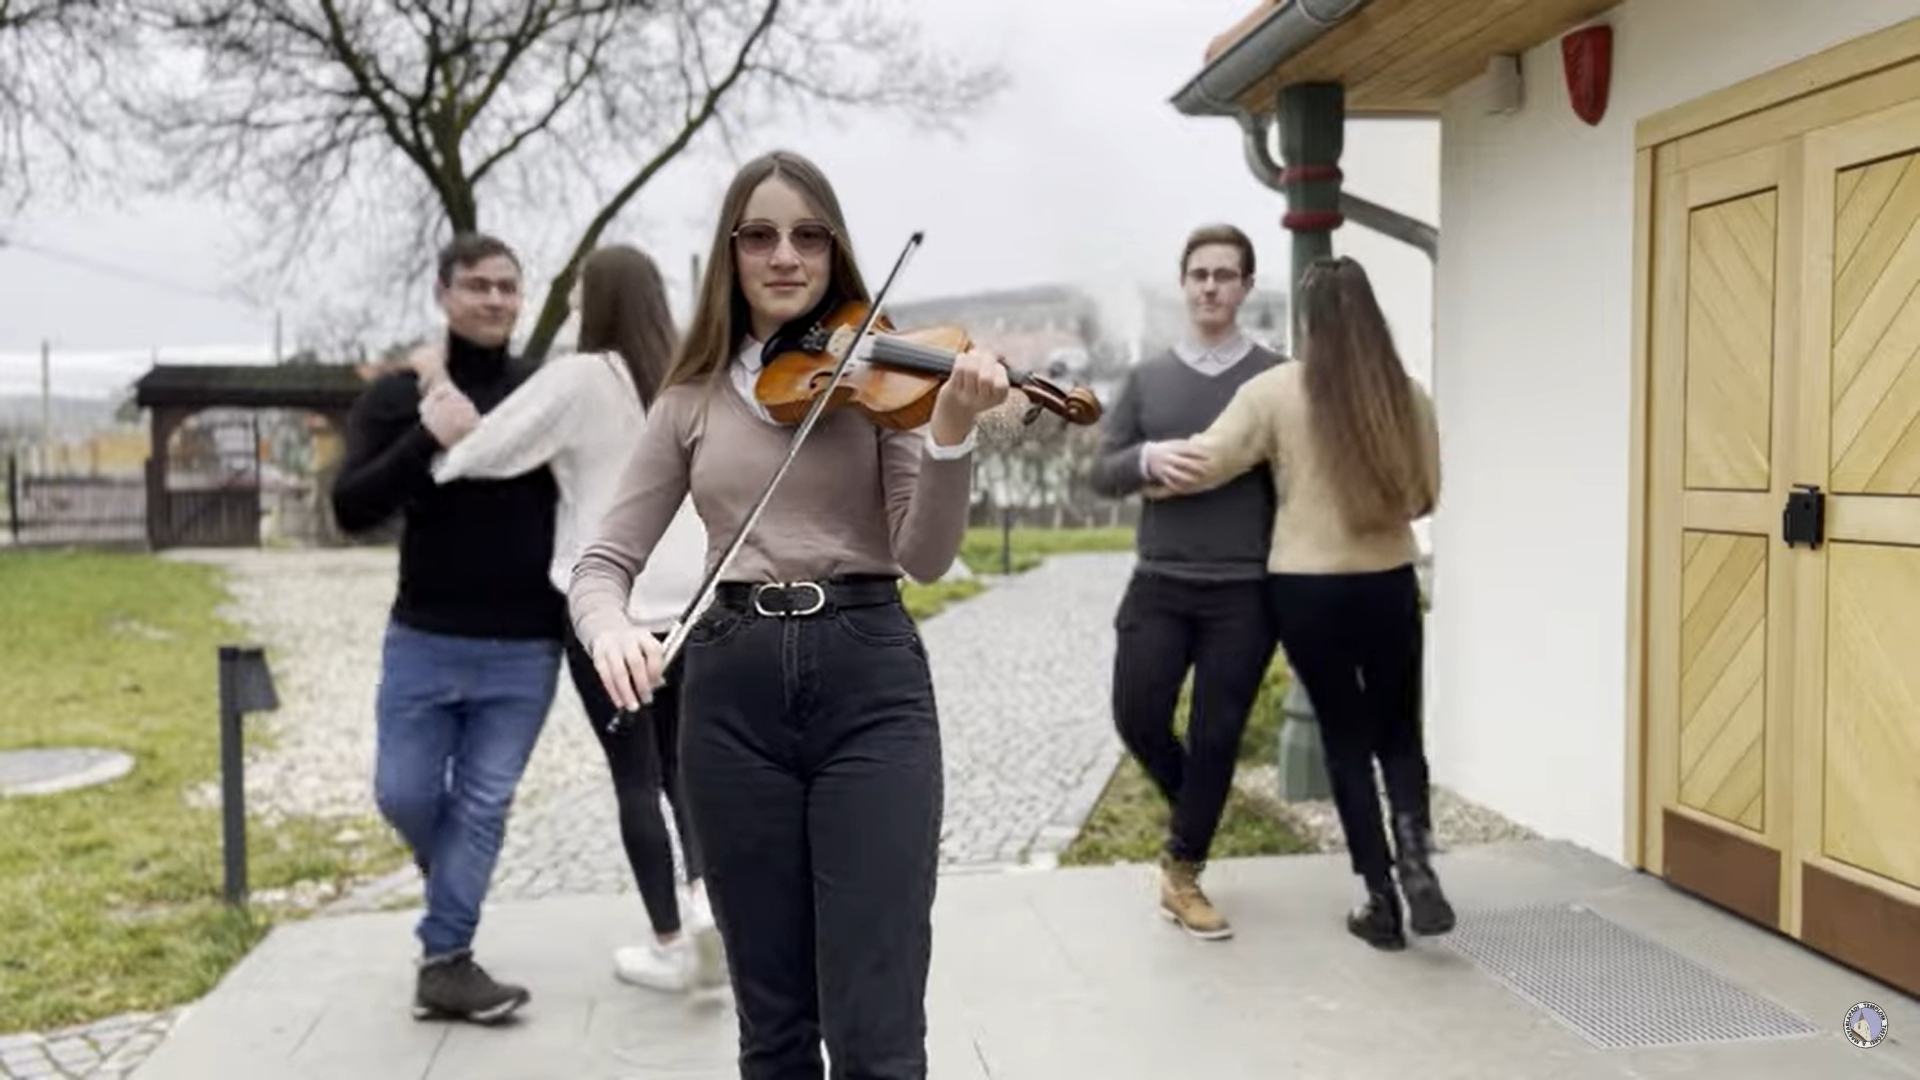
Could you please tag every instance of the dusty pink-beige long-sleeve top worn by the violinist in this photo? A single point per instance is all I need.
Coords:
(859, 499)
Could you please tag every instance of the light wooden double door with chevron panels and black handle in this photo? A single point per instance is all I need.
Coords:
(1783, 643)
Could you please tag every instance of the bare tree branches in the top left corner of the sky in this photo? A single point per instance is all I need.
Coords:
(57, 64)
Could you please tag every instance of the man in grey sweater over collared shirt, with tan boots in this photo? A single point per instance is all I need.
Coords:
(1197, 597)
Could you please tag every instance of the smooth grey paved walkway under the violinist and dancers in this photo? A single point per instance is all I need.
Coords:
(1068, 975)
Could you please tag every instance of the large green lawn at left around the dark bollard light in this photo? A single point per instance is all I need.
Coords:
(110, 896)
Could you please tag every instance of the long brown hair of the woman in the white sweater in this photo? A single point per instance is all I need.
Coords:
(623, 308)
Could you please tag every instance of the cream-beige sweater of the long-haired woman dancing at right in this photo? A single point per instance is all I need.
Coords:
(1266, 424)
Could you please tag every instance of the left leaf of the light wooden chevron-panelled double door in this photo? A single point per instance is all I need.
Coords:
(1719, 602)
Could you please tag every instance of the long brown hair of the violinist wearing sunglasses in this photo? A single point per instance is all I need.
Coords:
(721, 312)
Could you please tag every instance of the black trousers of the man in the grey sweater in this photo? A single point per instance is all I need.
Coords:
(1163, 629)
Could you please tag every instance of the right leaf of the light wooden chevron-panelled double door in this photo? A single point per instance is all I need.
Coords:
(1858, 702)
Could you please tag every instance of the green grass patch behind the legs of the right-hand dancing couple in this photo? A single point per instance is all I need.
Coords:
(1130, 823)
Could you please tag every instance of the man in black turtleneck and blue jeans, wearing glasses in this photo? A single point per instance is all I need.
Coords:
(473, 643)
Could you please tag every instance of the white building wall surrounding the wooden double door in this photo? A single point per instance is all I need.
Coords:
(1527, 639)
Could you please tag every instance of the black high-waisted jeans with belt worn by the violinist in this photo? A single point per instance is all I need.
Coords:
(813, 754)
